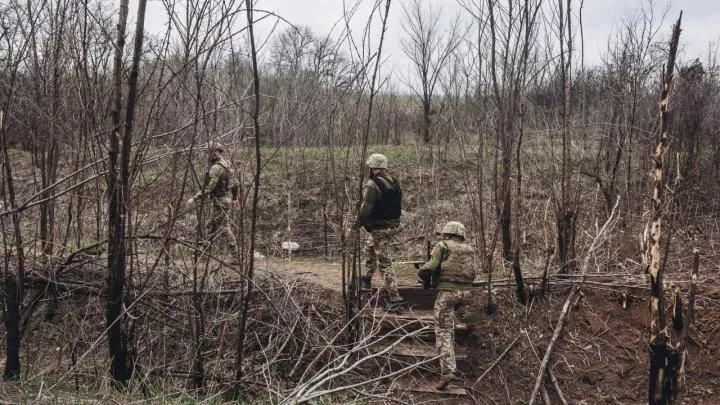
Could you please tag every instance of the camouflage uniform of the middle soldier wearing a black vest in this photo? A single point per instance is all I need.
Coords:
(382, 232)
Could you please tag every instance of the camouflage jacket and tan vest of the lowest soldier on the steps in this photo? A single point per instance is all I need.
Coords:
(452, 264)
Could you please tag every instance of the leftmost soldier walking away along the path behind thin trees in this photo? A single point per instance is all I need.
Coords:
(220, 185)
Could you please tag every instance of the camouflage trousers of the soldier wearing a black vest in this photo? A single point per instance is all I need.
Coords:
(377, 257)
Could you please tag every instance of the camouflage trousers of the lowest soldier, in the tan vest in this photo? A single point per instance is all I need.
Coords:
(445, 304)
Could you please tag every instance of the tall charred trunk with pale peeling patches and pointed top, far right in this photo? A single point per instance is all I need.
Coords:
(664, 360)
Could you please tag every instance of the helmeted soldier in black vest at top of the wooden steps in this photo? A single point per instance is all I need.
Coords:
(380, 216)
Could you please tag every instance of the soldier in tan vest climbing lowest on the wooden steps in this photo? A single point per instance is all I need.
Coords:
(452, 268)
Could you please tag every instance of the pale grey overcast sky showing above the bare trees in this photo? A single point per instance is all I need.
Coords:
(701, 22)
